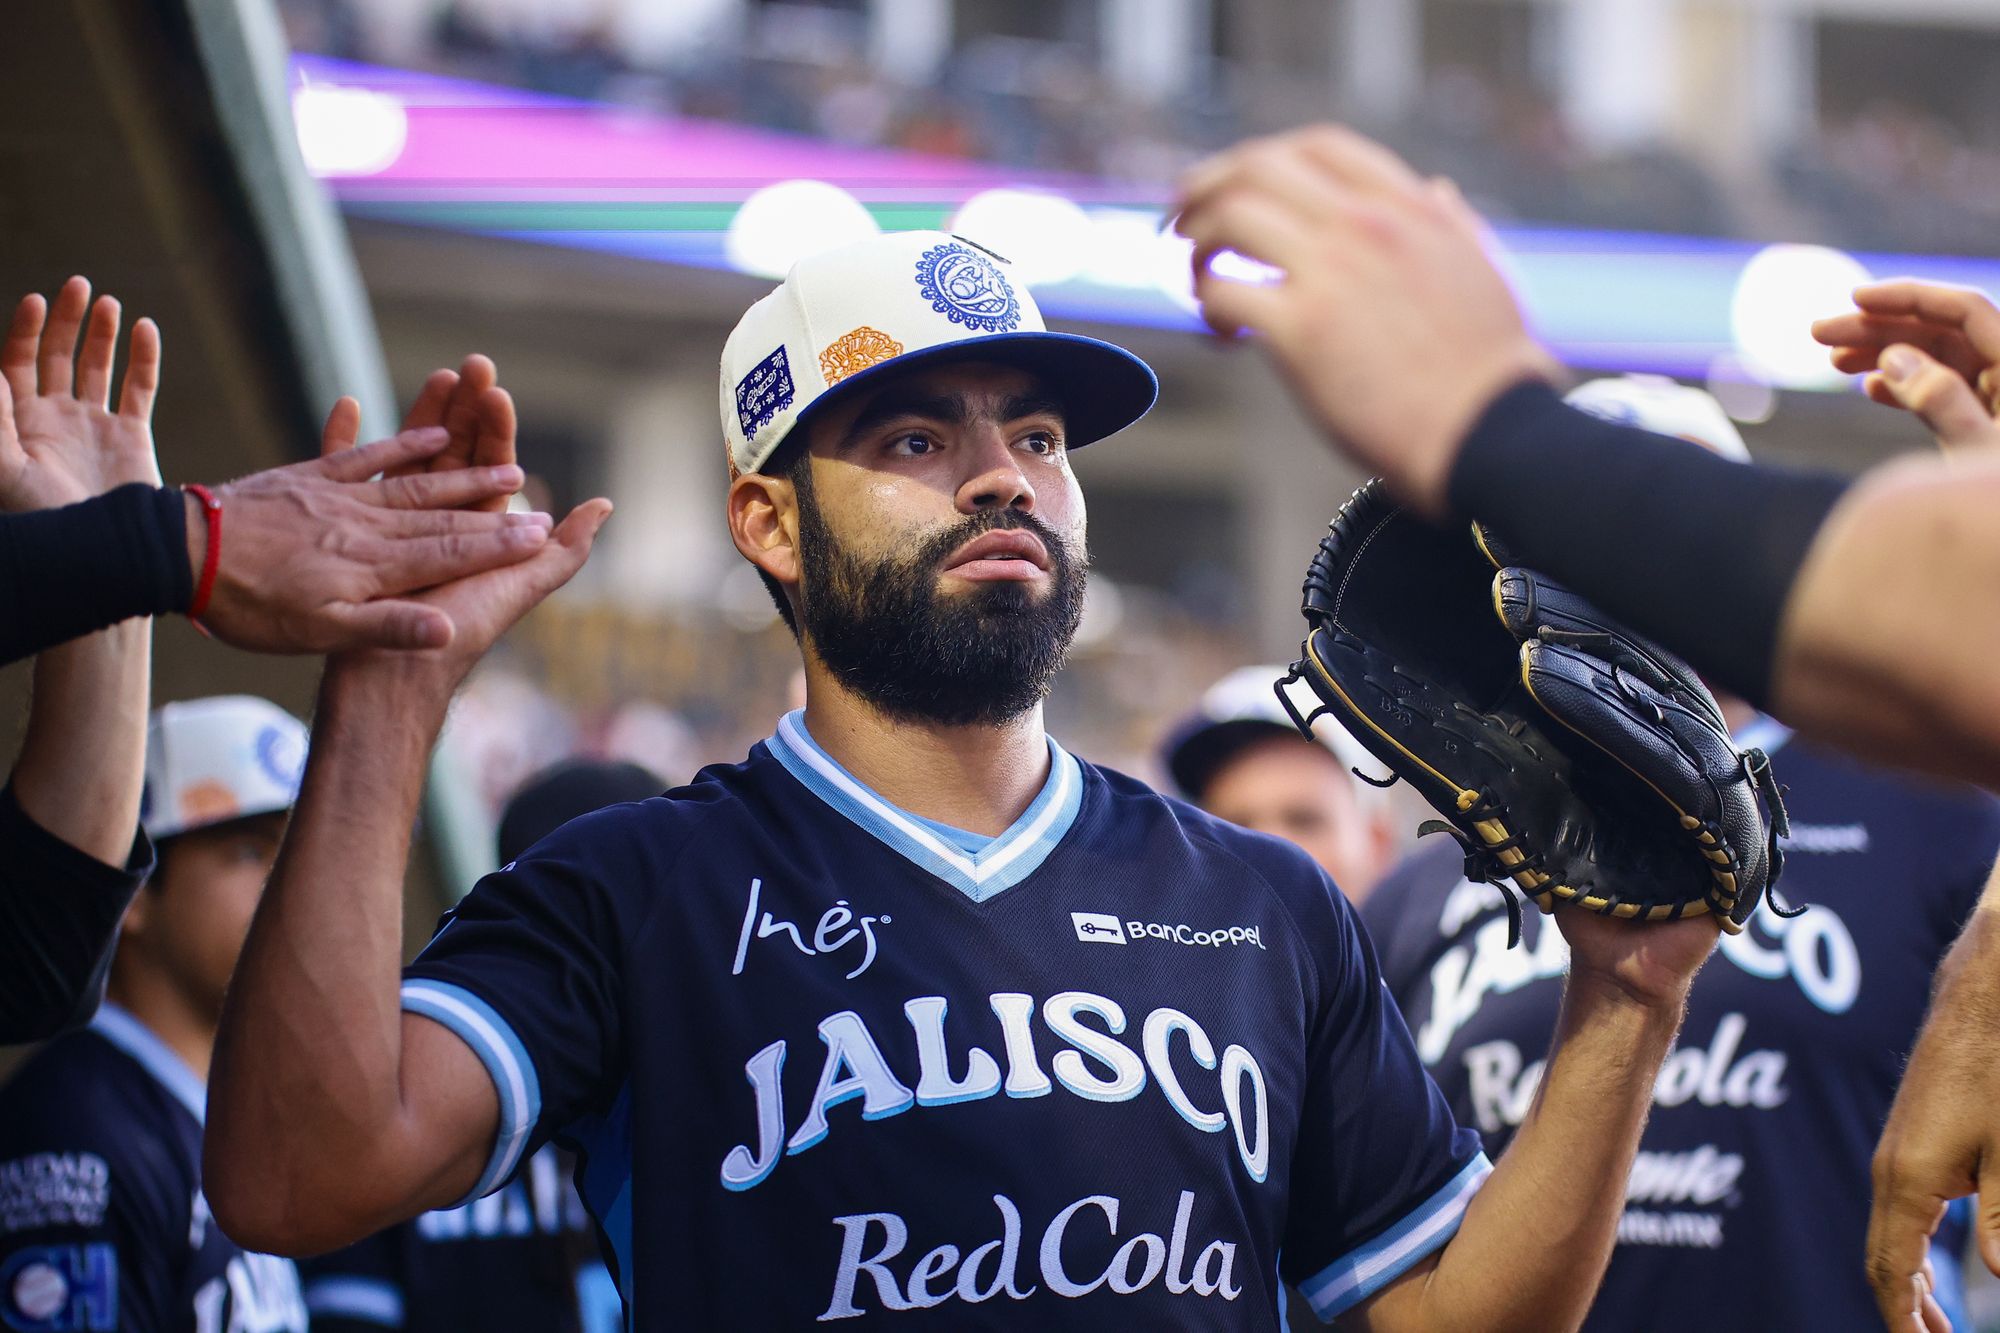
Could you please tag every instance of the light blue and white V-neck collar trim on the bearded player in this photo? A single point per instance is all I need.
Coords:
(1009, 860)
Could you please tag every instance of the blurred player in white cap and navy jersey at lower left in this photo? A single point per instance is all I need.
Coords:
(103, 1220)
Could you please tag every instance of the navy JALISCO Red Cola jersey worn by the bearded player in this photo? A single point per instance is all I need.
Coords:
(1121, 1066)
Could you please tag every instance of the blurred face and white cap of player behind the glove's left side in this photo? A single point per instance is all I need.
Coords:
(1241, 760)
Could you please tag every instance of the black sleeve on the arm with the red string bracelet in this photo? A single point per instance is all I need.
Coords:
(77, 569)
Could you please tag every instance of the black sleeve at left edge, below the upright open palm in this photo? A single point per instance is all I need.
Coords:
(59, 922)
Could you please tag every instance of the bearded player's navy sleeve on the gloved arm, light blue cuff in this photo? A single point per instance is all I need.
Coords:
(1383, 1174)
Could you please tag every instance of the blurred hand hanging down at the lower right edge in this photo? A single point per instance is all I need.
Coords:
(1943, 1136)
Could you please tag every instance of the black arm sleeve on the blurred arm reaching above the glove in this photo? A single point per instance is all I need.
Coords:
(1679, 543)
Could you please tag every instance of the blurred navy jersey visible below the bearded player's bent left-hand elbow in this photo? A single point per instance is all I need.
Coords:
(523, 1258)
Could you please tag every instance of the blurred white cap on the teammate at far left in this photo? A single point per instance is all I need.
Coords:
(217, 760)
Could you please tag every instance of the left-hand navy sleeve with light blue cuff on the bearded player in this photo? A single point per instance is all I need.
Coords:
(529, 972)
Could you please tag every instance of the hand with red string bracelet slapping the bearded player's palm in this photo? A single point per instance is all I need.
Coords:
(317, 557)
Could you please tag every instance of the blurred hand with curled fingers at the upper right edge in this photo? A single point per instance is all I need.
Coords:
(1929, 349)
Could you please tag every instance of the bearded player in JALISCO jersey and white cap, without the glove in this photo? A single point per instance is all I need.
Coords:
(911, 1018)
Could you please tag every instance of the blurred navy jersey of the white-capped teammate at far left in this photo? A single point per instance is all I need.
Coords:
(103, 1222)
